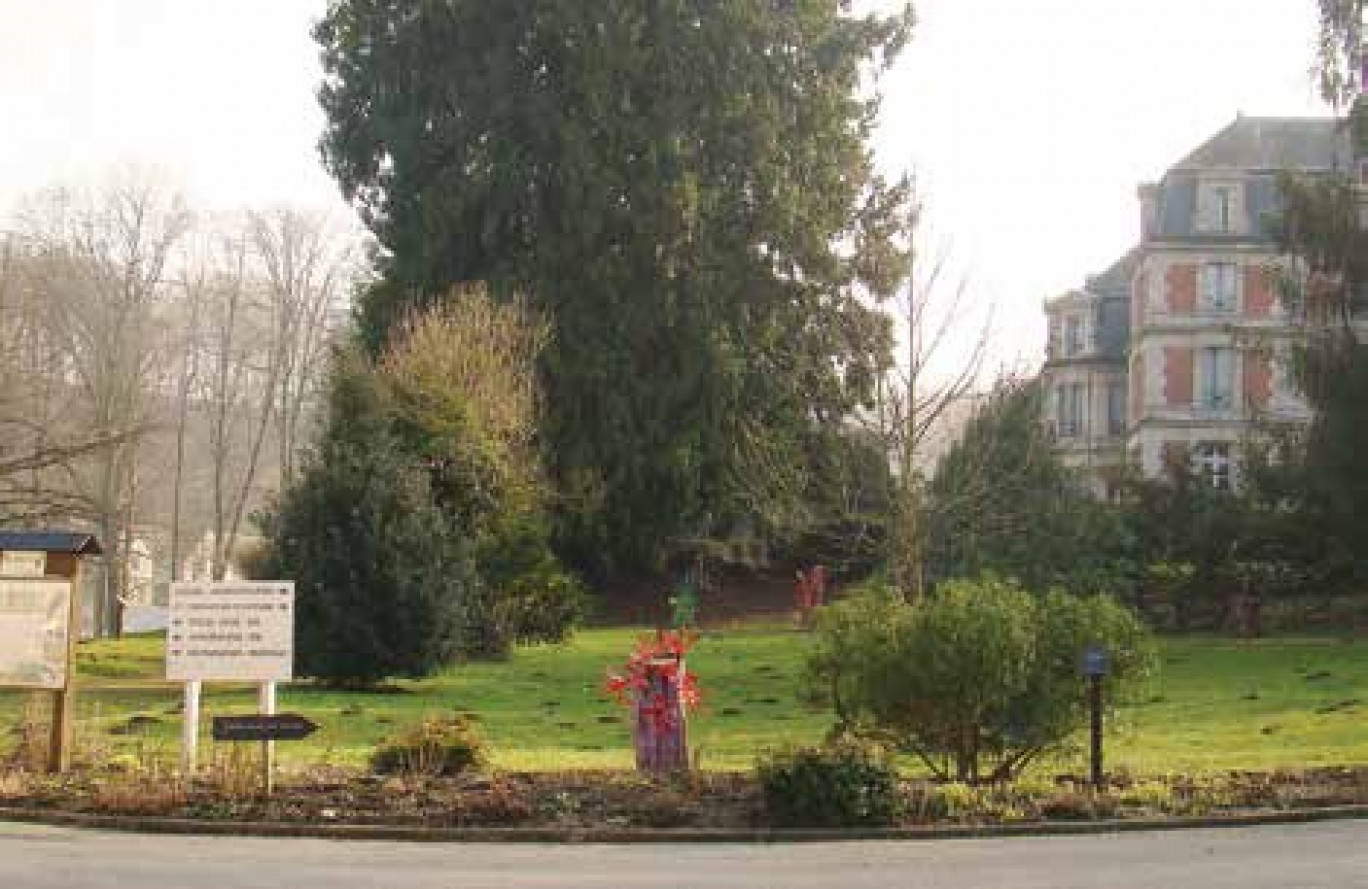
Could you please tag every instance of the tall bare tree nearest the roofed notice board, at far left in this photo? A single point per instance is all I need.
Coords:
(99, 262)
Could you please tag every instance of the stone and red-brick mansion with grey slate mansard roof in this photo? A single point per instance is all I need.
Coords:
(1177, 351)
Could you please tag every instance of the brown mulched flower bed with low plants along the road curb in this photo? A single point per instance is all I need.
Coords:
(615, 799)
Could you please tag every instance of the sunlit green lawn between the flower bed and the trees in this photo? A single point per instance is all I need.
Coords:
(1217, 705)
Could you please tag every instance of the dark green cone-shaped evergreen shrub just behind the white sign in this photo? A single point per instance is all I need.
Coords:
(381, 571)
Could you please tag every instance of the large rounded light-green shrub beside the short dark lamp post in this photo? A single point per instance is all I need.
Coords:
(980, 679)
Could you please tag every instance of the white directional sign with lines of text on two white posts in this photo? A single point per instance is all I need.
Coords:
(231, 633)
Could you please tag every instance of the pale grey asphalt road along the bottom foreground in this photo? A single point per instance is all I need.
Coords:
(1302, 857)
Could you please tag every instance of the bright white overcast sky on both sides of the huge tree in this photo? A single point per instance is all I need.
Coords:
(1029, 124)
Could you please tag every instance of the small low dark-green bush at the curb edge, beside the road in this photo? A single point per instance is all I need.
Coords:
(838, 787)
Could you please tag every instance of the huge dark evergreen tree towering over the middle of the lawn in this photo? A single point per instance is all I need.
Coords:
(685, 189)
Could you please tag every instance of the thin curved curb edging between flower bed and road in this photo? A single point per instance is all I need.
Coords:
(191, 827)
